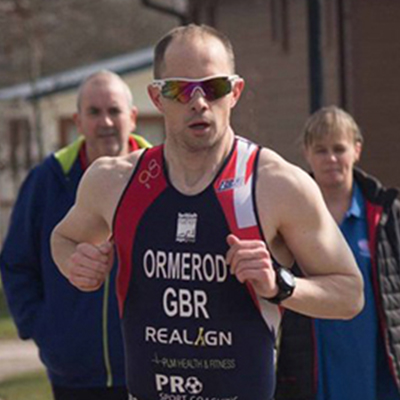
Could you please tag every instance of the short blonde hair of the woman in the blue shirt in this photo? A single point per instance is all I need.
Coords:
(330, 120)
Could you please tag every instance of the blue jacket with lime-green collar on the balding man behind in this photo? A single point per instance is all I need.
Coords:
(77, 333)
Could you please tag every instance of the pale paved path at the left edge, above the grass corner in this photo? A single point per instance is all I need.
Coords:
(17, 356)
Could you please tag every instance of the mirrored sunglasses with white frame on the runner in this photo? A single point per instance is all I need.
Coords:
(182, 89)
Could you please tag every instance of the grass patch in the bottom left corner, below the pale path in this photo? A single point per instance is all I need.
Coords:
(29, 386)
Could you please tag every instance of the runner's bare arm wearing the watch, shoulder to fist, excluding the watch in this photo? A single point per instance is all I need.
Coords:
(297, 224)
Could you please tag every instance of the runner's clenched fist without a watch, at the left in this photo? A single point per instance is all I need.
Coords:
(90, 265)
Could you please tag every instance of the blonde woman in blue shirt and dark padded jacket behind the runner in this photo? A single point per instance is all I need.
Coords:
(356, 359)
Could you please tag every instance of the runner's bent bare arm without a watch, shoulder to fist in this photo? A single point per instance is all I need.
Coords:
(79, 242)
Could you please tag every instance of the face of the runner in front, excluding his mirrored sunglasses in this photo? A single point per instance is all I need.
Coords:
(198, 124)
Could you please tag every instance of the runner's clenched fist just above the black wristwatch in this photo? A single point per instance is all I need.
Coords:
(251, 262)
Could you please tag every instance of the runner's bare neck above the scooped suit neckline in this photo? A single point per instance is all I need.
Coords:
(191, 171)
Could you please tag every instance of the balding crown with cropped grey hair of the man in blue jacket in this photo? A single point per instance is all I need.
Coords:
(104, 78)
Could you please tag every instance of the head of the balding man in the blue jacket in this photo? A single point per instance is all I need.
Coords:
(105, 118)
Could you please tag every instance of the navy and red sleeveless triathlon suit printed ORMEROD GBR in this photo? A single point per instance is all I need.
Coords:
(192, 331)
